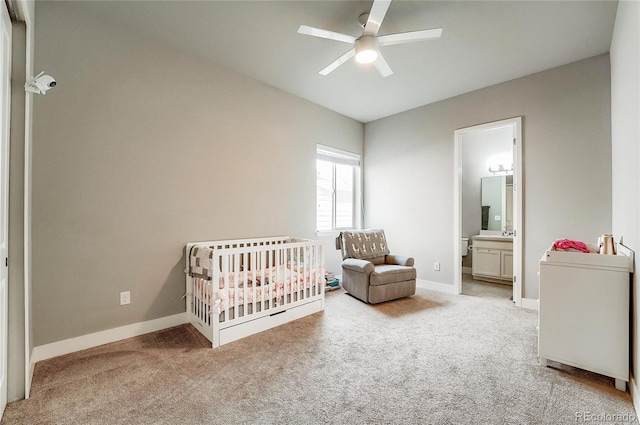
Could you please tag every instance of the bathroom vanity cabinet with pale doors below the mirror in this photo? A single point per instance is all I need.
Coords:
(492, 258)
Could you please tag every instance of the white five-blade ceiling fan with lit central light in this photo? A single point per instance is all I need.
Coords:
(365, 47)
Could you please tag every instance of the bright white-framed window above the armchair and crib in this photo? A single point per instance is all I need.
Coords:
(338, 189)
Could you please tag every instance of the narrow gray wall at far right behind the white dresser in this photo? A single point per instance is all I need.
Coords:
(625, 131)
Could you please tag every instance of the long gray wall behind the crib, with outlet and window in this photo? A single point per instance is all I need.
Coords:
(140, 149)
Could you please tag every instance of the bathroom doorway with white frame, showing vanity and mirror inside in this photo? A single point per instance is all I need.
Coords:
(488, 209)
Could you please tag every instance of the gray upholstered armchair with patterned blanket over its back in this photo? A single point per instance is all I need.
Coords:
(369, 272)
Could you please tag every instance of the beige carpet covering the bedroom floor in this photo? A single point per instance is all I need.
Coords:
(433, 358)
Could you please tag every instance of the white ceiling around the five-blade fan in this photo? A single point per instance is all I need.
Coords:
(483, 43)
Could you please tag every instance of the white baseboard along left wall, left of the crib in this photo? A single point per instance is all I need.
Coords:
(59, 348)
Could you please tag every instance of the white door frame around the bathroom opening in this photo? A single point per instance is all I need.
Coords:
(518, 186)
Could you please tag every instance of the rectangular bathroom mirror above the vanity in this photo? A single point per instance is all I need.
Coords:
(497, 203)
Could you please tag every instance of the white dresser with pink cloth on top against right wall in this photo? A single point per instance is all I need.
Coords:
(584, 311)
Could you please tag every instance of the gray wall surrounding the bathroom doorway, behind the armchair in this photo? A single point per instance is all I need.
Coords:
(567, 165)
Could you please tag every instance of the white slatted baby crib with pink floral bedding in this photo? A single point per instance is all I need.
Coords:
(236, 288)
